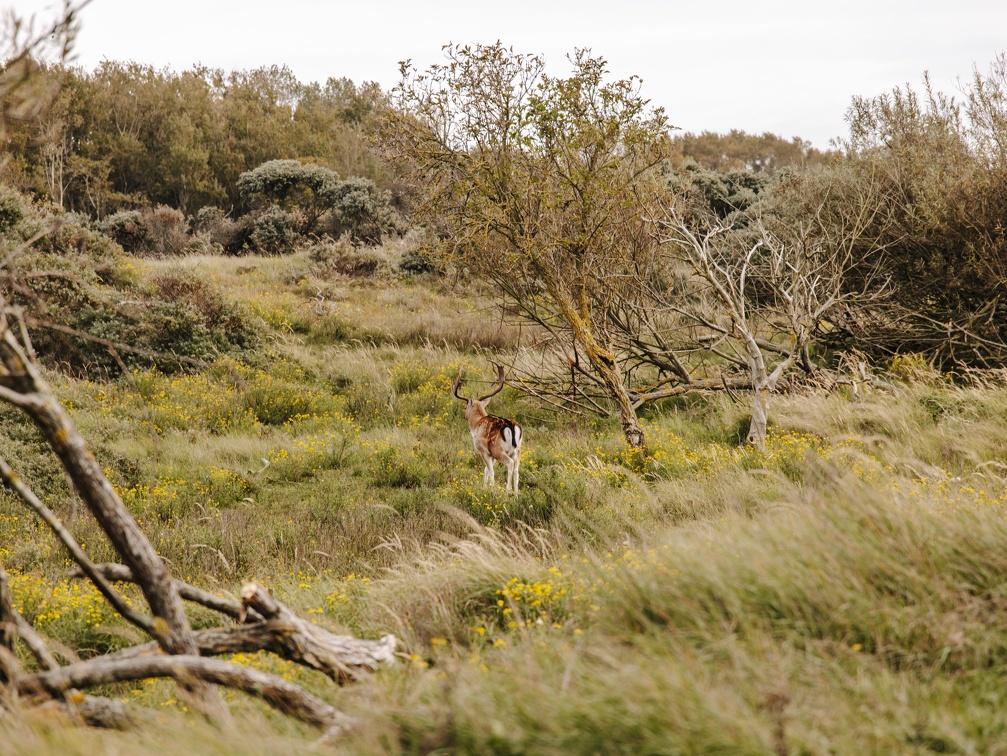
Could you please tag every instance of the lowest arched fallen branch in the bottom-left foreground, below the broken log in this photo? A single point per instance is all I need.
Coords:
(276, 692)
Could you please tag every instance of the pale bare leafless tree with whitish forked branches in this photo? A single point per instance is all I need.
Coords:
(766, 294)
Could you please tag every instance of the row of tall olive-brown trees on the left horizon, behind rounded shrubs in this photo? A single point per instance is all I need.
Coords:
(128, 136)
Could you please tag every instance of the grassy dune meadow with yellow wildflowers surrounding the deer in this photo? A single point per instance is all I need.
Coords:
(842, 592)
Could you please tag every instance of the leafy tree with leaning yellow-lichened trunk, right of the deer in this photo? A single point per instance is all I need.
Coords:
(539, 185)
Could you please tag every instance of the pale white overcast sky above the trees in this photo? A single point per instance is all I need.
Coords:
(790, 68)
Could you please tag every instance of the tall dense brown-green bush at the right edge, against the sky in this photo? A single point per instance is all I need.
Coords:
(942, 165)
